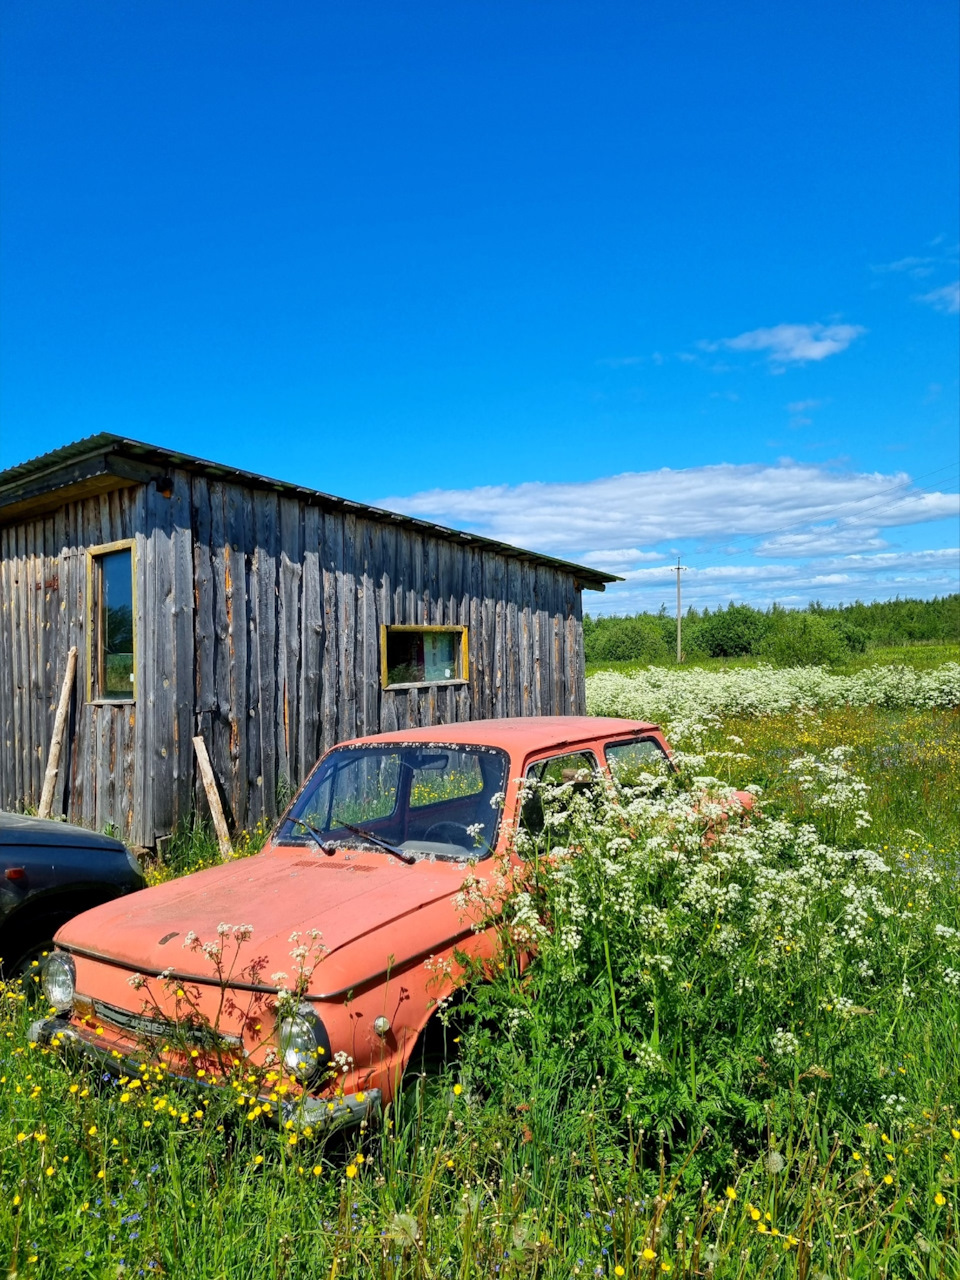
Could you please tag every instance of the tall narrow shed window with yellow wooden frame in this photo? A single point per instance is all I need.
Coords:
(112, 646)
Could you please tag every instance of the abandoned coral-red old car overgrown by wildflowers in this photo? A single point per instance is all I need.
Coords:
(316, 967)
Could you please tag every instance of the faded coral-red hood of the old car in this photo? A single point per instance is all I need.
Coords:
(372, 912)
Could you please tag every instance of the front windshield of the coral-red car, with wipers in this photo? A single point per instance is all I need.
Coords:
(423, 799)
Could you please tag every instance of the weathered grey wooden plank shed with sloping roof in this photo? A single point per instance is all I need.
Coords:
(268, 619)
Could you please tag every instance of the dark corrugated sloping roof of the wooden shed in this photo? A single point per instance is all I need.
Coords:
(95, 449)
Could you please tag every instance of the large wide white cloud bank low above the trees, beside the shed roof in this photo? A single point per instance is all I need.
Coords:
(749, 532)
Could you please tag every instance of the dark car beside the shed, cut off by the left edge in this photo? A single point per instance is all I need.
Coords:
(51, 872)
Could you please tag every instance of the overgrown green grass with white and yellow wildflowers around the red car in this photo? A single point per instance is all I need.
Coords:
(762, 1105)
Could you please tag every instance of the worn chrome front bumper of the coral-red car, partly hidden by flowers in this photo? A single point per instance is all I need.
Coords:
(345, 1113)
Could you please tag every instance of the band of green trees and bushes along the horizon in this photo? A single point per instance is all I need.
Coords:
(819, 634)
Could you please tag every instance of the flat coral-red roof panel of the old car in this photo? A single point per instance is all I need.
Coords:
(518, 734)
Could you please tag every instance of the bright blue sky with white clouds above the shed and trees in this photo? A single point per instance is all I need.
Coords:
(611, 281)
